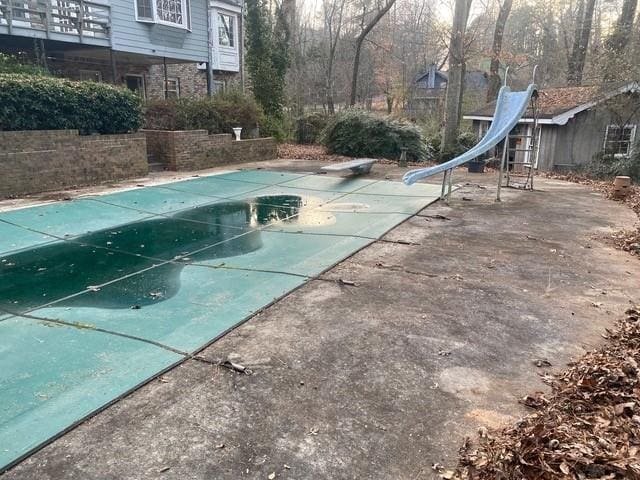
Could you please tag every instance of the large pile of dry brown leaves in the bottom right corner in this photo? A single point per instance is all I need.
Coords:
(588, 427)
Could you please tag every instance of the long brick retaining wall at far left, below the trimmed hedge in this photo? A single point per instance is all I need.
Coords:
(37, 161)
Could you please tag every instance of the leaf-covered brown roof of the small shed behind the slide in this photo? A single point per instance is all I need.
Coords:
(558, 105)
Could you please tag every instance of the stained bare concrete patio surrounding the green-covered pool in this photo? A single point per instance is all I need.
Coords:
(382, 379)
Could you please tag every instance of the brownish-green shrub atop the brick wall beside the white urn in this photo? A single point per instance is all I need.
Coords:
(218, 114)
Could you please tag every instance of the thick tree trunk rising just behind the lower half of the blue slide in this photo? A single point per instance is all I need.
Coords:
(455, 84)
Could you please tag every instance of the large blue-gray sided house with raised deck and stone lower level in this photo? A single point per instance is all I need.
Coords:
(158, 48)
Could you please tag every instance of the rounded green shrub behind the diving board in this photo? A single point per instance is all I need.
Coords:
(357, 133)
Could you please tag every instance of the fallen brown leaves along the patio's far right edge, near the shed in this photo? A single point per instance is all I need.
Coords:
(628, 239)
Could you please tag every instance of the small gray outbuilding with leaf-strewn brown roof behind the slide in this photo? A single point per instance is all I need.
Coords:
(574, 124)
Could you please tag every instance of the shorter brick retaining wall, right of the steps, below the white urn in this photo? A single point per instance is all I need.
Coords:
(196, 149)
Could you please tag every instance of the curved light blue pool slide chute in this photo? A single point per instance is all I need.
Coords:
(510, 107)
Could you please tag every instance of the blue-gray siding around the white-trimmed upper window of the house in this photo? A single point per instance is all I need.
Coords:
(131, 36)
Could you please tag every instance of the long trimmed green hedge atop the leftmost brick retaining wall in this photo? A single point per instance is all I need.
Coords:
(30, 102)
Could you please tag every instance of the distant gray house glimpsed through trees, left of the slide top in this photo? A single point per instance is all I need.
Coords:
(429, 88)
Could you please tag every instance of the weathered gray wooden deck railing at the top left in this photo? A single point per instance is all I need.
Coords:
(82, 18)
